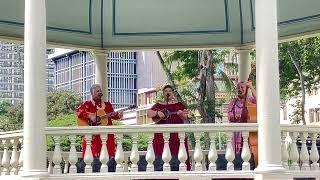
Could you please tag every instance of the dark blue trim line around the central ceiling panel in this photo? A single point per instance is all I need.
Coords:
(214, 31)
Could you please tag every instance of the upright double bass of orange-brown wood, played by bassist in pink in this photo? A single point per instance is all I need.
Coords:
(252, 110)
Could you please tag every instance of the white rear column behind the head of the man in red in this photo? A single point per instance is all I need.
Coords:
(101, 72)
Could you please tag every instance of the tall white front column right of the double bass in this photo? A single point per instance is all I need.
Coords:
(268, 87)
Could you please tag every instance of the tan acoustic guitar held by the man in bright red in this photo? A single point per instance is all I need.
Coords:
(102, 117)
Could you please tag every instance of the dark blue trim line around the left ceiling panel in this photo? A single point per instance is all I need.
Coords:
(21, 24)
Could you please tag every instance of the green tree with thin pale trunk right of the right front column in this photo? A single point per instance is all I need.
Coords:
(299, 68)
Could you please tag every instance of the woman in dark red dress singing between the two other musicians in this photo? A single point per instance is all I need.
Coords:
(157, 113)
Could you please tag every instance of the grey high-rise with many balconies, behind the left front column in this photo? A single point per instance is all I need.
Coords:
(11, 72)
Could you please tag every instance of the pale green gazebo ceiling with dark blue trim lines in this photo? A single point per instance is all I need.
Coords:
(134, 24)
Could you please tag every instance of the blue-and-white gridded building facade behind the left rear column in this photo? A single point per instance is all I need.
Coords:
(76, 71)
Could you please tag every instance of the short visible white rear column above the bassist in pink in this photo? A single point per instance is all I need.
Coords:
(244, 64)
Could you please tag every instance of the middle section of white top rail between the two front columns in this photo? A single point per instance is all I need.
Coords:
(225, 127)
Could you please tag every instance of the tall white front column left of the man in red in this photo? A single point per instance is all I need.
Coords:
(35, 89)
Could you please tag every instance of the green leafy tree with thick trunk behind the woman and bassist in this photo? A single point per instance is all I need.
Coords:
(194, 78)
